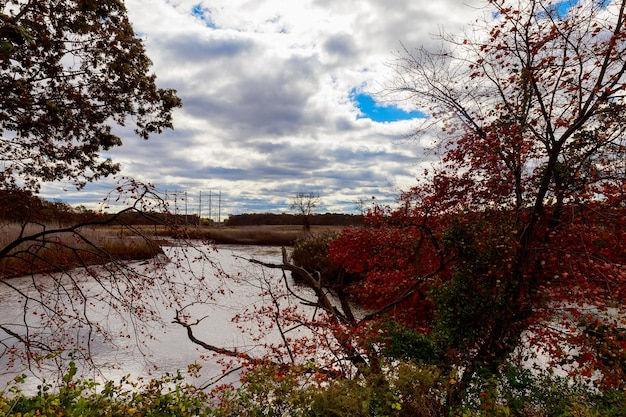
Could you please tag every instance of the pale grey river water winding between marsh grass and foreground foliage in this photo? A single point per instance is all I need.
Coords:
(244, 290)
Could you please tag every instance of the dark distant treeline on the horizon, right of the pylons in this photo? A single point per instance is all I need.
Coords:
(327, 219)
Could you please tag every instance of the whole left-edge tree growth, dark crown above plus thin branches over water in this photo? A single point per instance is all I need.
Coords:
(69, 72)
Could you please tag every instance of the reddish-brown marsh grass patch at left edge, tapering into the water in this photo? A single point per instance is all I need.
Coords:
(60, 251)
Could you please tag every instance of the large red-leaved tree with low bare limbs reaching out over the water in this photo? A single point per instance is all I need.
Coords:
(513, 246)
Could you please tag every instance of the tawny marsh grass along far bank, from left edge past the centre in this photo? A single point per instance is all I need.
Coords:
(94, 246)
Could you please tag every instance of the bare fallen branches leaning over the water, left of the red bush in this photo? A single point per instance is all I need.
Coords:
(318, 323)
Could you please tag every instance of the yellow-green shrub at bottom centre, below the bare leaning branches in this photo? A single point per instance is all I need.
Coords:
(402, 389)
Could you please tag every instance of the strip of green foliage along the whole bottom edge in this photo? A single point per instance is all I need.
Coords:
(403, 388)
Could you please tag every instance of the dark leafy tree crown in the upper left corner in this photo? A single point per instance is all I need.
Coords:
(68, 70)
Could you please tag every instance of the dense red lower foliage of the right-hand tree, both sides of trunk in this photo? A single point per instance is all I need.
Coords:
(571, 275)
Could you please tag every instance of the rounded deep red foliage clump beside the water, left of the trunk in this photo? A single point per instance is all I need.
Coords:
(393, 254)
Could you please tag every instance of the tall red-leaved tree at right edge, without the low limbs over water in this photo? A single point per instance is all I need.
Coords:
(522, 225)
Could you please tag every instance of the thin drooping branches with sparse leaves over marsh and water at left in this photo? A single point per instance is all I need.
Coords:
(74, 289)
